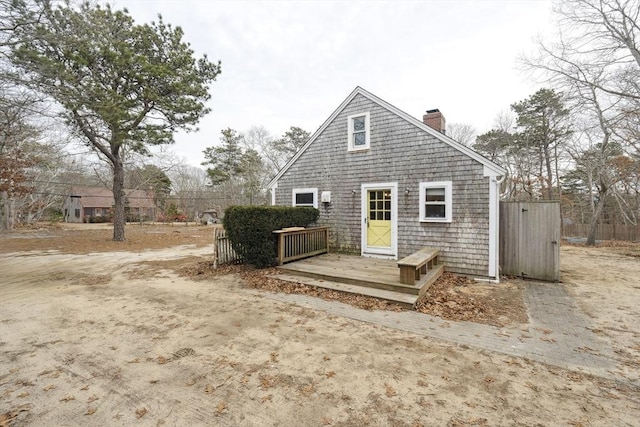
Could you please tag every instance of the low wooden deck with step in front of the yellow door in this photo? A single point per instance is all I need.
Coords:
(379, 278)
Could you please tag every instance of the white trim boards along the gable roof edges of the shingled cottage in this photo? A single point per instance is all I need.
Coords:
(496, 169)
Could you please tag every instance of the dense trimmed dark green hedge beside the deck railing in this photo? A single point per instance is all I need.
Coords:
(250, 229)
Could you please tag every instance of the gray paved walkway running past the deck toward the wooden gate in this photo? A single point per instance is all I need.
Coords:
(557, 333)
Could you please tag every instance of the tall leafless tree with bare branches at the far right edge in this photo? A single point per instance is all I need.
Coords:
(595, 61)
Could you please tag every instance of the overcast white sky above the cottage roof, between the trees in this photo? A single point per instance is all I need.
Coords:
(291, 63)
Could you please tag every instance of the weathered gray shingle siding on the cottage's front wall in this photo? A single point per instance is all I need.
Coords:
(400, 152)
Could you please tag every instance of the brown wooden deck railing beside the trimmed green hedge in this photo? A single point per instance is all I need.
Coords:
(297, 242)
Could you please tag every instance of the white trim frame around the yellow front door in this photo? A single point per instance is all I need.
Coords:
(392, 252)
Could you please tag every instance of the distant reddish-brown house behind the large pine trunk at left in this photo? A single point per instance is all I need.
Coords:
(95, 204)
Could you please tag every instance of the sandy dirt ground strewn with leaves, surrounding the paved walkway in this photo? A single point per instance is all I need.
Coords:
(106, 337)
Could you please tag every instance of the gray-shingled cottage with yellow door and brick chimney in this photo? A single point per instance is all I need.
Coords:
(388, 184)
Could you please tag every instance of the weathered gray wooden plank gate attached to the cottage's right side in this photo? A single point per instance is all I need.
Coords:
(530, 240)
